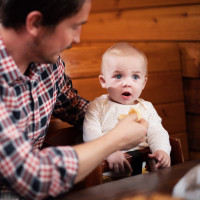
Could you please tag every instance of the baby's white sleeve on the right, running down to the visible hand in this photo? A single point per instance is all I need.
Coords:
(157, 136)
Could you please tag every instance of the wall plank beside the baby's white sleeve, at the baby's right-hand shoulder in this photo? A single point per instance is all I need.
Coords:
(173, 117)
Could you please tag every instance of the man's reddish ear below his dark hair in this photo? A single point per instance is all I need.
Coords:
(33, 22)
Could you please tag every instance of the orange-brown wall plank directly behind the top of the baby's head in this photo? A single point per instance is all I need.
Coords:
(84, 60)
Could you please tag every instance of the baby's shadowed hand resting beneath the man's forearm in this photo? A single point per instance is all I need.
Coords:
(118, 163)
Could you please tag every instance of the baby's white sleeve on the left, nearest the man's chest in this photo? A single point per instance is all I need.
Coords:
(92, 128)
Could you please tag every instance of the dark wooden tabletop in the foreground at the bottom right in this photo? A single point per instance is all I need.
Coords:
(161, 181)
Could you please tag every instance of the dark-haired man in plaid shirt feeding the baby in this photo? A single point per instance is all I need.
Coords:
(32, 87)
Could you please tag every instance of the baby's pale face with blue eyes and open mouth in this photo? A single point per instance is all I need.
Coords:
(124, 78)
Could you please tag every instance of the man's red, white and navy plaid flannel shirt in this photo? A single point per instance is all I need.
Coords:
(26, 105)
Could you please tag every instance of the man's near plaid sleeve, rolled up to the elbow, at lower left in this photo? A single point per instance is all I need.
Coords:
(33, 173)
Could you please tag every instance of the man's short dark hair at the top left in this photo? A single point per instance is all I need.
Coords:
(13, 12)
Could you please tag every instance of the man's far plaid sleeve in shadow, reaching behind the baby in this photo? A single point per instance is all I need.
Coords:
(69, 107)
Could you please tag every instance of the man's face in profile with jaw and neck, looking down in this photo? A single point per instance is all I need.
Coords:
(49, 44)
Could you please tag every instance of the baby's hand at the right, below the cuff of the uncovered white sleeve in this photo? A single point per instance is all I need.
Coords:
(162, 159)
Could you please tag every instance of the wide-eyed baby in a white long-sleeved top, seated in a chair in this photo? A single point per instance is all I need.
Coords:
(124, 75)
